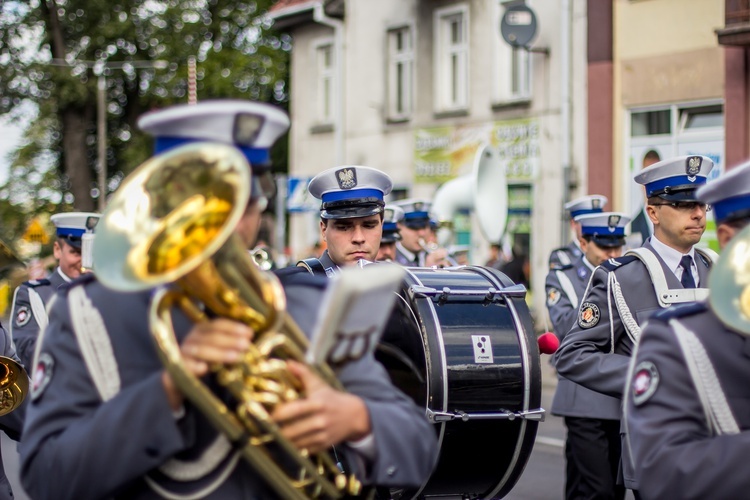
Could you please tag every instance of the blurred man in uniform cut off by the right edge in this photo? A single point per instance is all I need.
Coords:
(686, 407)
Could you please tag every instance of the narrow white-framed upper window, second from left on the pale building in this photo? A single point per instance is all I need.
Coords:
(400, 73)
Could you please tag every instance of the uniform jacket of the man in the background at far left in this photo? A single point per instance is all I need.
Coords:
(24, 318)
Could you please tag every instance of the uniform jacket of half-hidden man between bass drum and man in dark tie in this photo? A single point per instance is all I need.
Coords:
(565, 288)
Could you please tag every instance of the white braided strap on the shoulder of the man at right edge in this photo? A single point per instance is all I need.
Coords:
(719, 417)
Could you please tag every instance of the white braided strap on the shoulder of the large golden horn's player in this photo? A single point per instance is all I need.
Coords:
(93, 340)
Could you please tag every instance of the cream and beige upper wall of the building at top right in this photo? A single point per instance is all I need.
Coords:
(666, 52)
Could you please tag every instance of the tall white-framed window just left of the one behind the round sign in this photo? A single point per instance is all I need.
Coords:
(451, 58)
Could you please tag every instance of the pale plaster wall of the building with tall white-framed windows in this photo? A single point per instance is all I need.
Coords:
(370, 139)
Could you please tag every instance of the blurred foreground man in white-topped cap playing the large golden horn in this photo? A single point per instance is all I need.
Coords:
(98, 375)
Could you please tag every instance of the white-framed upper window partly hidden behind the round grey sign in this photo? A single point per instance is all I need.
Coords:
(511, 66)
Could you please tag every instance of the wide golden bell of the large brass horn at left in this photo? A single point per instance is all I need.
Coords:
(177, 209)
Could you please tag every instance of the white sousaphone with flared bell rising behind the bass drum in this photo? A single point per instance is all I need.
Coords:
(484, 191)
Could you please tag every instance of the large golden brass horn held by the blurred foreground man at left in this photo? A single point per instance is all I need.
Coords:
(173, 222)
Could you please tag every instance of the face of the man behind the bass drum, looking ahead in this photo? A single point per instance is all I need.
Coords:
(350, 240)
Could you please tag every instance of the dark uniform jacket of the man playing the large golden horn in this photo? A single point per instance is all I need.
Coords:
(78, 446)
